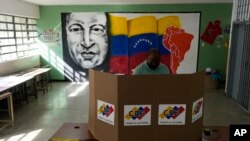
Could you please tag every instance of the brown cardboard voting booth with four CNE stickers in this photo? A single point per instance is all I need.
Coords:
(146, 107)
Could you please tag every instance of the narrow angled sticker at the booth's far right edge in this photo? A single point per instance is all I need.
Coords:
(197, 109)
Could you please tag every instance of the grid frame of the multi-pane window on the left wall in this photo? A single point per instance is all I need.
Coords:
(23, 38)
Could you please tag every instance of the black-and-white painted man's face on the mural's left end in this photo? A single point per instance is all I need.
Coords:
(85, 42)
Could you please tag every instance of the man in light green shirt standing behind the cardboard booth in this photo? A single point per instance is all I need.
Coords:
(152, 65)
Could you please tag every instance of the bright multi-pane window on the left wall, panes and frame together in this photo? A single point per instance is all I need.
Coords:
(17, 37)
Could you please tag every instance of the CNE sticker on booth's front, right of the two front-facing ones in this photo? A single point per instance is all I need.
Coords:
(172, 114)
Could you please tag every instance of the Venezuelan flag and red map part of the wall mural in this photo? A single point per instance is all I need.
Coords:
(174, 35)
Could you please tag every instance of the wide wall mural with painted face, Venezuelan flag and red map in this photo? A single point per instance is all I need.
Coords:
(118, 42)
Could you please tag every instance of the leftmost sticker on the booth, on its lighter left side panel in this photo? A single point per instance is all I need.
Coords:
(106, 112)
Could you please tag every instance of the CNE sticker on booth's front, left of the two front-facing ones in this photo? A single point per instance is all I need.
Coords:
(137, 115)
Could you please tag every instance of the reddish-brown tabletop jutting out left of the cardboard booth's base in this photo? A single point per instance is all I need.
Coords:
(73, 131)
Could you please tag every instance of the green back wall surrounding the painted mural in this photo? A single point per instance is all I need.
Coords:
(209, 56)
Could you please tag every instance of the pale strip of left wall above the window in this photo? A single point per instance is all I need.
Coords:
(19, 8)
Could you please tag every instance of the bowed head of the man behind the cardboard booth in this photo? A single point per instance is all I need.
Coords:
(154, 57)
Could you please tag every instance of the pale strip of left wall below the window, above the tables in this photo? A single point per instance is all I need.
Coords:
(20, 64)
